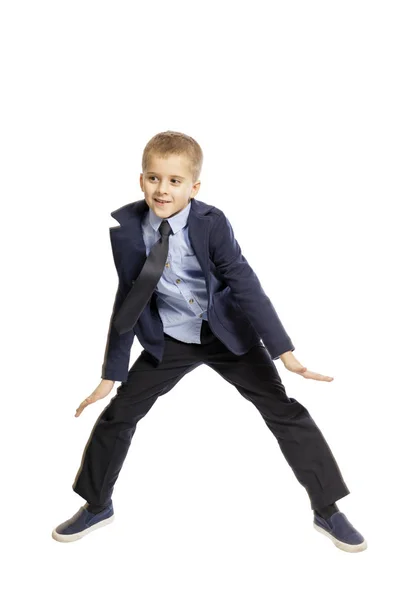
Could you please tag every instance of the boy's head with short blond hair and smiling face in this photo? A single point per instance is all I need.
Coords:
(171, 166)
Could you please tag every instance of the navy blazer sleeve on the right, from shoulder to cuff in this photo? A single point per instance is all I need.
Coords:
(234, 269)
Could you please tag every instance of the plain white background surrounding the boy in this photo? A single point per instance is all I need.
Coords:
(296, 108)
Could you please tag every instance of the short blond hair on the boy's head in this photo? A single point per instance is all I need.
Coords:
(173, 142)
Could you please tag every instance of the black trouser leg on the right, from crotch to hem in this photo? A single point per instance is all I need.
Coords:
(257, 379)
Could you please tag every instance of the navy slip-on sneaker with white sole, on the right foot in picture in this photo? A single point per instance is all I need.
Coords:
(342, 533)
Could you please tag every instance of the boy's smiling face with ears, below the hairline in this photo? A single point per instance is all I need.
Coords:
(168, 179)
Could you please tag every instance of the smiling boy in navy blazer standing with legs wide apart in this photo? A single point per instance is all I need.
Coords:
(189, 295)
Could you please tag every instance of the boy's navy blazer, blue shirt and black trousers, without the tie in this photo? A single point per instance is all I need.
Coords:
(208, 308)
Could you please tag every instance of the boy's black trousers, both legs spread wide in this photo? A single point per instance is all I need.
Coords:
(254, 375)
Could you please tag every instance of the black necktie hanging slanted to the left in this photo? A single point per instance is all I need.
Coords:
(145, 284)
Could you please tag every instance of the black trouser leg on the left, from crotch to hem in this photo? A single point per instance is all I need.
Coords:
(112, 433)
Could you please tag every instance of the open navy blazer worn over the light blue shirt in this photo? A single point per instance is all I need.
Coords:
(239, 313)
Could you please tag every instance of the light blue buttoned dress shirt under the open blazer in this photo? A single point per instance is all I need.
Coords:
(181, 293)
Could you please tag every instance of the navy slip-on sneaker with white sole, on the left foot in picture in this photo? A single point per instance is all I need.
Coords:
(82, 523)
